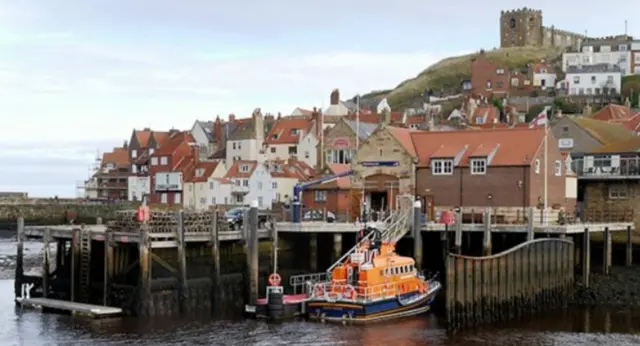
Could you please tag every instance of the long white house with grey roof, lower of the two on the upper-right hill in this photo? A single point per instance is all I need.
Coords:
(593, 79)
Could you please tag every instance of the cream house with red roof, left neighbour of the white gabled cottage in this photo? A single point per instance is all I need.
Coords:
(196, 186)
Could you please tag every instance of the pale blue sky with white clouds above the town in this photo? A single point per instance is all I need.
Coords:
(77, 76)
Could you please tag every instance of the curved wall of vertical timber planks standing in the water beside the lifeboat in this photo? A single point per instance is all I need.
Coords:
(531, 277)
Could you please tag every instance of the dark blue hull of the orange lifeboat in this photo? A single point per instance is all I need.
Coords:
(347, 312)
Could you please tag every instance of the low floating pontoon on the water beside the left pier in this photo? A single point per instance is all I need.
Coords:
(95, 311)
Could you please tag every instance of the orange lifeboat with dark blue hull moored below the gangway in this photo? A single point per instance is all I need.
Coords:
(374, 283)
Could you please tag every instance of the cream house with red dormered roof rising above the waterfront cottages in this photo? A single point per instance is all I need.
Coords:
(292, 137)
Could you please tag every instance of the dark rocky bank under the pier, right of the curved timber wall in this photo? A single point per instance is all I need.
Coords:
(619, 289)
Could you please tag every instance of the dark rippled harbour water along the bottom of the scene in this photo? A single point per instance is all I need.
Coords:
(568, 327)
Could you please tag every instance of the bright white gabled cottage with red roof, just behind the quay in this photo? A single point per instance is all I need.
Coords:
(250, 180)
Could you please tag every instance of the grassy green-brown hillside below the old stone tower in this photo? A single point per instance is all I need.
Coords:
(448, 73)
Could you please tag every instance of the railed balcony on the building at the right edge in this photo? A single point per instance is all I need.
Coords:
(611, 167)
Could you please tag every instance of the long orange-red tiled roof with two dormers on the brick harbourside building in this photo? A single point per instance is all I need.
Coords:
(517, 146)
